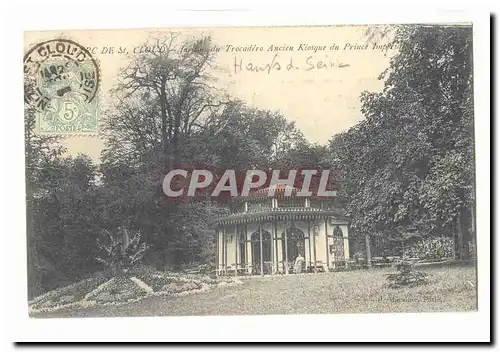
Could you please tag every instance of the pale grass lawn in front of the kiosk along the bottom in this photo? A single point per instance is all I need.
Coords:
(450, 289)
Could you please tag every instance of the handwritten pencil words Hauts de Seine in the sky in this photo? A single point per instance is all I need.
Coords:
(279, 64)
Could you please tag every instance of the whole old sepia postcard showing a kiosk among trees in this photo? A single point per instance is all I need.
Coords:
(250, 171)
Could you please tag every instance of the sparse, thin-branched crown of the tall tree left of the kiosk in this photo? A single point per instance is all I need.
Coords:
(170, 90)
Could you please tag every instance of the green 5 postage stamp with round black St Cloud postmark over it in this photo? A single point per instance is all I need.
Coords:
(65, 85)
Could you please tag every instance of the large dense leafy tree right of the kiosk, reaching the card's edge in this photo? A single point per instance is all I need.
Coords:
(411, 159)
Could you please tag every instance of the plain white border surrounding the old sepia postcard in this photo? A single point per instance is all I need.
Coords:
(355, 327)
